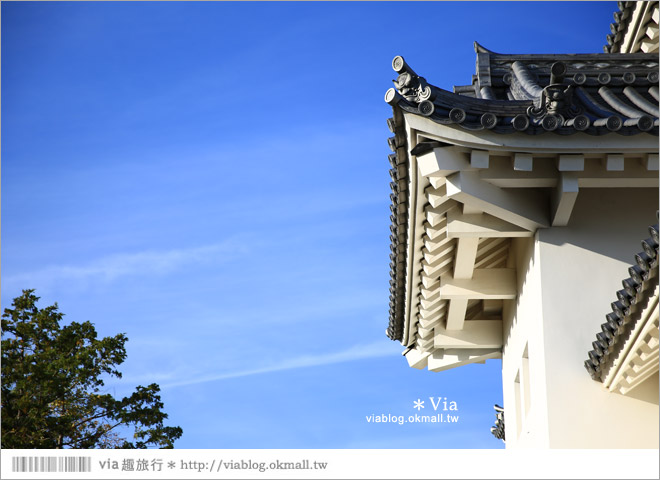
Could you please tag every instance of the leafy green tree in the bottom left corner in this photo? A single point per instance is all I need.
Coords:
(52, 388)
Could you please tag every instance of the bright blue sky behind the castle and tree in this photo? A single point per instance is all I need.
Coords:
(212, 180)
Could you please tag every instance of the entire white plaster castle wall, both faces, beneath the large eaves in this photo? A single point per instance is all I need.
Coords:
(567, 278)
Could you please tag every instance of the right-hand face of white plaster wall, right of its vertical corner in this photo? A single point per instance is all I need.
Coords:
(581, 268)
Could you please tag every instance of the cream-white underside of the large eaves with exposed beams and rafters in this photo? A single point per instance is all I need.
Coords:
(471, 203)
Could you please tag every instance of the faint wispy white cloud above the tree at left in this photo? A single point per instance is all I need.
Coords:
(112, 267)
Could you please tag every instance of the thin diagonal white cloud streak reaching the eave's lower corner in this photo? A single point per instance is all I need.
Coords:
(357, 352)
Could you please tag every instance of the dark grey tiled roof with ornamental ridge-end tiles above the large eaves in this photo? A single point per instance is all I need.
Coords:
(592, 93)
